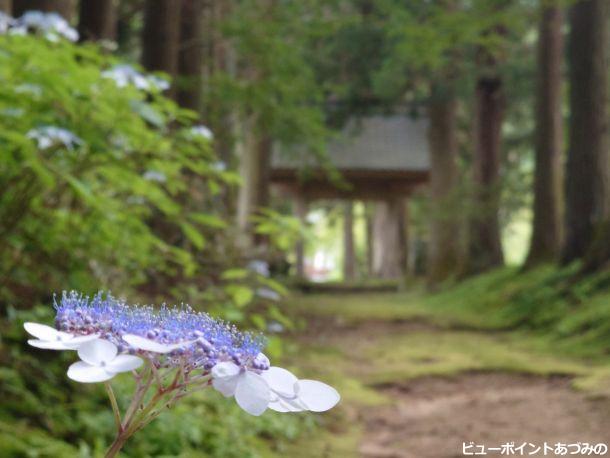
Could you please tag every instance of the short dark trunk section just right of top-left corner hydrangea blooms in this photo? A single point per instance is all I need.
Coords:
(98, 20)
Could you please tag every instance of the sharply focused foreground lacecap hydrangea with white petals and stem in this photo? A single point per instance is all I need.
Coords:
(171, 351)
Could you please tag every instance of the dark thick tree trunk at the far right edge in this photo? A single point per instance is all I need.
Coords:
(587, 165)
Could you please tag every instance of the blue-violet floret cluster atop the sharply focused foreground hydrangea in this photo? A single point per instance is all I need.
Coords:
(206, 341)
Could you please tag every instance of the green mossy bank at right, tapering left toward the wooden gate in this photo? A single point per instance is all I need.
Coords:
(572, 317)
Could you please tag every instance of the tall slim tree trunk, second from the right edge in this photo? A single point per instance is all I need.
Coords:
(546, 232)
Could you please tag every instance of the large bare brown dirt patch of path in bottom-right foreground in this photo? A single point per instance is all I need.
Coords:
(433, 417)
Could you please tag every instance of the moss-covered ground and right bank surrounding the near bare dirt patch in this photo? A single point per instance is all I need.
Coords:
(509, 322)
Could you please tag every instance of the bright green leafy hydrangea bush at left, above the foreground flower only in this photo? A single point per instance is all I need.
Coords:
(89, 213)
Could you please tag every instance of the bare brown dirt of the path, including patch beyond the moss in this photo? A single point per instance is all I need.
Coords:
(432, 416)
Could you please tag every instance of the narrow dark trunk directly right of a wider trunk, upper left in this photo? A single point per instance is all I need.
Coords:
(190, 55)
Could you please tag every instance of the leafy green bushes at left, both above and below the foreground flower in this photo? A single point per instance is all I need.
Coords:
(129, 205)
